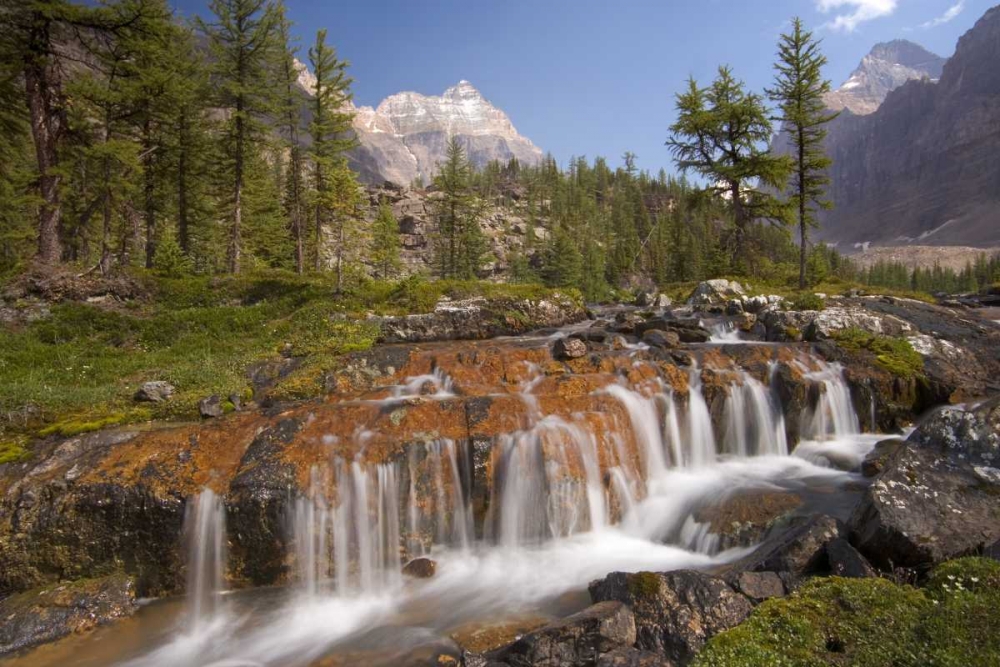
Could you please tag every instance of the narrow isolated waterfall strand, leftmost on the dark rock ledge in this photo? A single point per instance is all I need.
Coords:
(205, 529)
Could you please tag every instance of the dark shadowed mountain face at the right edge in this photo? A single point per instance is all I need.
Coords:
(923, 166)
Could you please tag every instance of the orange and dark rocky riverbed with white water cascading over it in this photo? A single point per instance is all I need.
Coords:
(712, 452)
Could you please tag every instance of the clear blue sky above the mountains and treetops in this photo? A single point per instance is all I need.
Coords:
(587, 77)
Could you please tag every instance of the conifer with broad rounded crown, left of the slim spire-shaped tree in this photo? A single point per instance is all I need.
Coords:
(722, 133)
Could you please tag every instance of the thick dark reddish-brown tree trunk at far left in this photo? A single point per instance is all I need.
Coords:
(43, 90)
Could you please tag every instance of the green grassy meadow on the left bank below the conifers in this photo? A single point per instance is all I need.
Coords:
(79, 369)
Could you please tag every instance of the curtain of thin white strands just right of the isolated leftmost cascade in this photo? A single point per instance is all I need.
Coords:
(359, 534)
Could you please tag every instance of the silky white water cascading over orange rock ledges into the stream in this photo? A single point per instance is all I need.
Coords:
(571, 496)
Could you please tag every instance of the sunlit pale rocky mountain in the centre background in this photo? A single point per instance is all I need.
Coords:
(406, 136)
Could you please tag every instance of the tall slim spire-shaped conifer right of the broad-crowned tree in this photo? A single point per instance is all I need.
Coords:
(798, 91)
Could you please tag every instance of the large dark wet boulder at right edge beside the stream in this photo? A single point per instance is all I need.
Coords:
(939, 496)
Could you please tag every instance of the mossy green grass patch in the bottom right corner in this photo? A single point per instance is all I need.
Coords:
(953, 622)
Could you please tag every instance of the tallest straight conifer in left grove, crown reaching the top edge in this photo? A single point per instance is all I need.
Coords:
(242, 40)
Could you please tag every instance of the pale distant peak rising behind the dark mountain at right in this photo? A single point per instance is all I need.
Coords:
(888, 66)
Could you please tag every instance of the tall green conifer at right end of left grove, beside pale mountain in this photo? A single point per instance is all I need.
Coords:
(336, 190)
